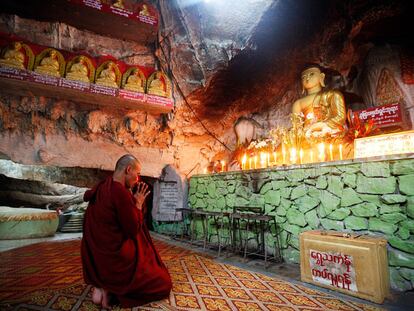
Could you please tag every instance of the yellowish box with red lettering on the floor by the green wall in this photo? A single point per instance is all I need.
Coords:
(350, 263)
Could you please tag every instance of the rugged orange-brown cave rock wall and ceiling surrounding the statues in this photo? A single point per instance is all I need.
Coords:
(220, 72)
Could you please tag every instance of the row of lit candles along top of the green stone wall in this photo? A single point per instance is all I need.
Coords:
(291, 156)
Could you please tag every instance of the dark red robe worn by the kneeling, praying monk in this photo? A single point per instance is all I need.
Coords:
(117, 251)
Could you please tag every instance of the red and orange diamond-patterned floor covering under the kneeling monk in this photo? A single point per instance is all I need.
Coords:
(199, 283)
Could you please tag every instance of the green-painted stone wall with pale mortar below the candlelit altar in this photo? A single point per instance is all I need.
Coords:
(375, 198)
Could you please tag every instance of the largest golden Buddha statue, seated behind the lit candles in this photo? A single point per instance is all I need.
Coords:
(321, 112)
